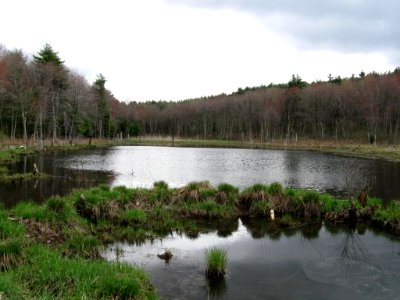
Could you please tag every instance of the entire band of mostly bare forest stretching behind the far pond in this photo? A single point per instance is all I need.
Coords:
(42, 99)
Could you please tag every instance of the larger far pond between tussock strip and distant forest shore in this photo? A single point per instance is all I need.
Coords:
(140, 166)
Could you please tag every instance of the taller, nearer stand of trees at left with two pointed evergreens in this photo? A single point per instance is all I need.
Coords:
(40, 98)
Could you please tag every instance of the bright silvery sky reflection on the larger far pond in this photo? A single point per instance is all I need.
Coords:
(140, 166)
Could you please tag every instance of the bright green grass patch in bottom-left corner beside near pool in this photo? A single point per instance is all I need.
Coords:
(47, 275)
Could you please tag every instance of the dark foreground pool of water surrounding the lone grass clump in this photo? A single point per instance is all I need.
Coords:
(311, 262)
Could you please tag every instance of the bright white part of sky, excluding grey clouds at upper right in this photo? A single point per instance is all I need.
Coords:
(158, 50)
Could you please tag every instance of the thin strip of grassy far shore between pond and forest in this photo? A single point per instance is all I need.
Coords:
(13, 150)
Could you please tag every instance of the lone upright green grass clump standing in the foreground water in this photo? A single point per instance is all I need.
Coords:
(216, 260)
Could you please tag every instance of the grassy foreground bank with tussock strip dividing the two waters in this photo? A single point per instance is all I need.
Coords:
(56, 249)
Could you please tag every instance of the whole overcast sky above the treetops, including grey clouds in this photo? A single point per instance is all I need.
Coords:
(178, 49)
